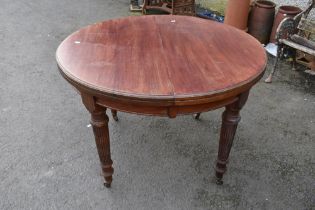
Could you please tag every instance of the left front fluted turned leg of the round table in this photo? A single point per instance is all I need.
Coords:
(99, 122)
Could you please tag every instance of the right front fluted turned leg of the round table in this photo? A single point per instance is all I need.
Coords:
(230, 120)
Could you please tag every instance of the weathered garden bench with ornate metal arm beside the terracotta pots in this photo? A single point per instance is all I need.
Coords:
(294, 33)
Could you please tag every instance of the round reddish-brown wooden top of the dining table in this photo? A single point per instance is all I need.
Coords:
(161, 57)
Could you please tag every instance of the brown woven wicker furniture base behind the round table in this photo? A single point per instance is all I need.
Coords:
(174, 7)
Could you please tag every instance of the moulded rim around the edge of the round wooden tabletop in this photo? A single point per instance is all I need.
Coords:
(174, 98)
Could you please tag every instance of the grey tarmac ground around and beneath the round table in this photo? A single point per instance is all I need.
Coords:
(48, 158)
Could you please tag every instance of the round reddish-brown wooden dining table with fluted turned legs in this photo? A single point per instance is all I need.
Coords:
(162, 65)
